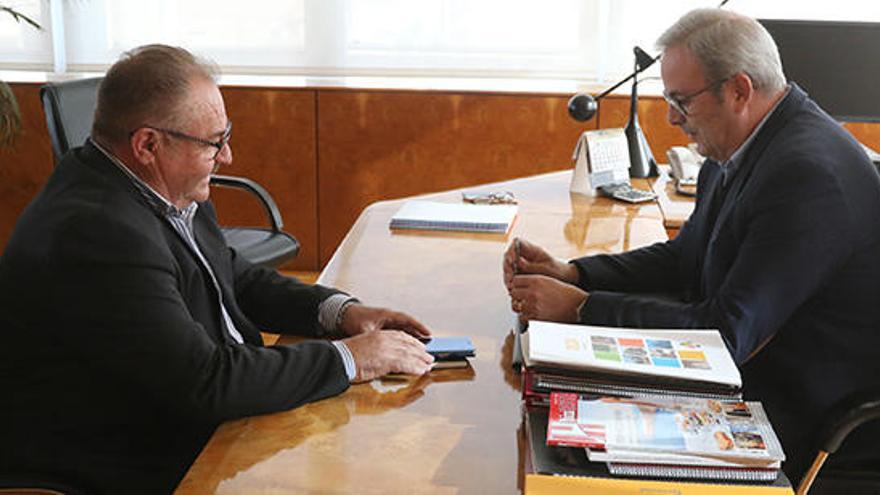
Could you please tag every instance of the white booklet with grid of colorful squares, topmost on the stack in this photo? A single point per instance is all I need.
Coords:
(629, 362)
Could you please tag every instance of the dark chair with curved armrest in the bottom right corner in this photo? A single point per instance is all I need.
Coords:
(847, 415)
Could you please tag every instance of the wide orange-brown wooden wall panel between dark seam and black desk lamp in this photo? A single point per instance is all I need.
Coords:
(375, 145)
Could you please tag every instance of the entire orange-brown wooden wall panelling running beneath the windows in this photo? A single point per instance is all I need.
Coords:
(325, 154)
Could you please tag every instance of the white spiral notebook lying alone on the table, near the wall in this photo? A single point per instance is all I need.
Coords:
(432, 215)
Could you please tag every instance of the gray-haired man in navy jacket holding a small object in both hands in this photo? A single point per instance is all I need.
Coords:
(781, 254)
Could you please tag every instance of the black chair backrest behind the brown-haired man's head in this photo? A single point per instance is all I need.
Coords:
(70, 110)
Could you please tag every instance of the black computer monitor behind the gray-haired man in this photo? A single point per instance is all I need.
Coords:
(837, 63)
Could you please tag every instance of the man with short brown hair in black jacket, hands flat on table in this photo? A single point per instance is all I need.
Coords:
(129, 329)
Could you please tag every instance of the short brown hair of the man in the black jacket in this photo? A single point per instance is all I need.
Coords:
(148, 85)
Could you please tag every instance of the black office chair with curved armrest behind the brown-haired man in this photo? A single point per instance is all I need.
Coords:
(70, 108)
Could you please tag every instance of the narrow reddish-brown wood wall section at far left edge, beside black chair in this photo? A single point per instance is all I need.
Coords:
(25, 166)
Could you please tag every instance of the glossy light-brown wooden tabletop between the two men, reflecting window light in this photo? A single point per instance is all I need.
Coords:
(448, 432)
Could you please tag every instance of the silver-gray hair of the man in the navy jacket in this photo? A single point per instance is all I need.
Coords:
(726, 43)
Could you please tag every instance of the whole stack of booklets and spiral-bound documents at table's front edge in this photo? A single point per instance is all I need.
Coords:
(647, 405)
